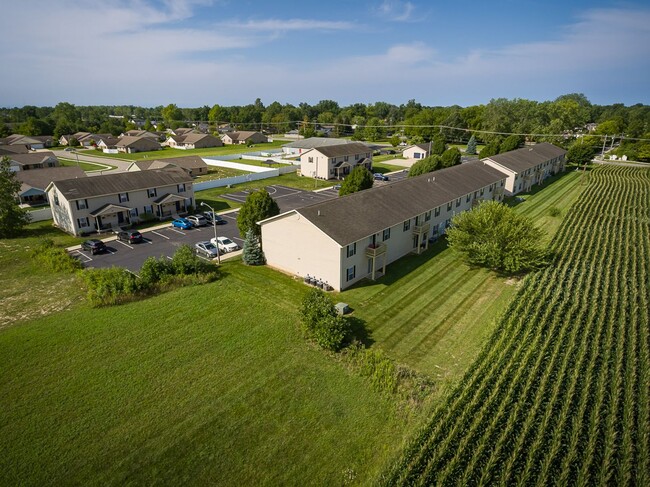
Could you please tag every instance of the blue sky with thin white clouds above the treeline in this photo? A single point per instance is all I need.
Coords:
(230, 52)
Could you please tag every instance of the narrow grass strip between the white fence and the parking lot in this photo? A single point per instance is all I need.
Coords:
(214, 199)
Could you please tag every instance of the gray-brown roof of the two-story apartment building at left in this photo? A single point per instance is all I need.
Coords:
(123, 182)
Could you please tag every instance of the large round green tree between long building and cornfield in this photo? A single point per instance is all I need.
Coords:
(493, 235)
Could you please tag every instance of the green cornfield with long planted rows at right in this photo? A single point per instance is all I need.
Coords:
(559, 395)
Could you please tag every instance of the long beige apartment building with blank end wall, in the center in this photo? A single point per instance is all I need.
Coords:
(344, 240)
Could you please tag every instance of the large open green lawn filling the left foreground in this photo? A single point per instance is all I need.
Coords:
(204, 385)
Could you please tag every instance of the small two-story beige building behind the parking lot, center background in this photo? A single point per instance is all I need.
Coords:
(335, 161)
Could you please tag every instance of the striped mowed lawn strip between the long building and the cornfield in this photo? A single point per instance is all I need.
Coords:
(432, 311)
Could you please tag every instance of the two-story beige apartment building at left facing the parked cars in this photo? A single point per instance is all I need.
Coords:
(99, 203)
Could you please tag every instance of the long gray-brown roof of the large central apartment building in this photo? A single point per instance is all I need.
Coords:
(359, 215)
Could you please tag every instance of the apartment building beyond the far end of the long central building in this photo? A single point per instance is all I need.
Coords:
(528, 166)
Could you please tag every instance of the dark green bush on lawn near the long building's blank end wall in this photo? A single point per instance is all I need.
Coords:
(321, 322)
